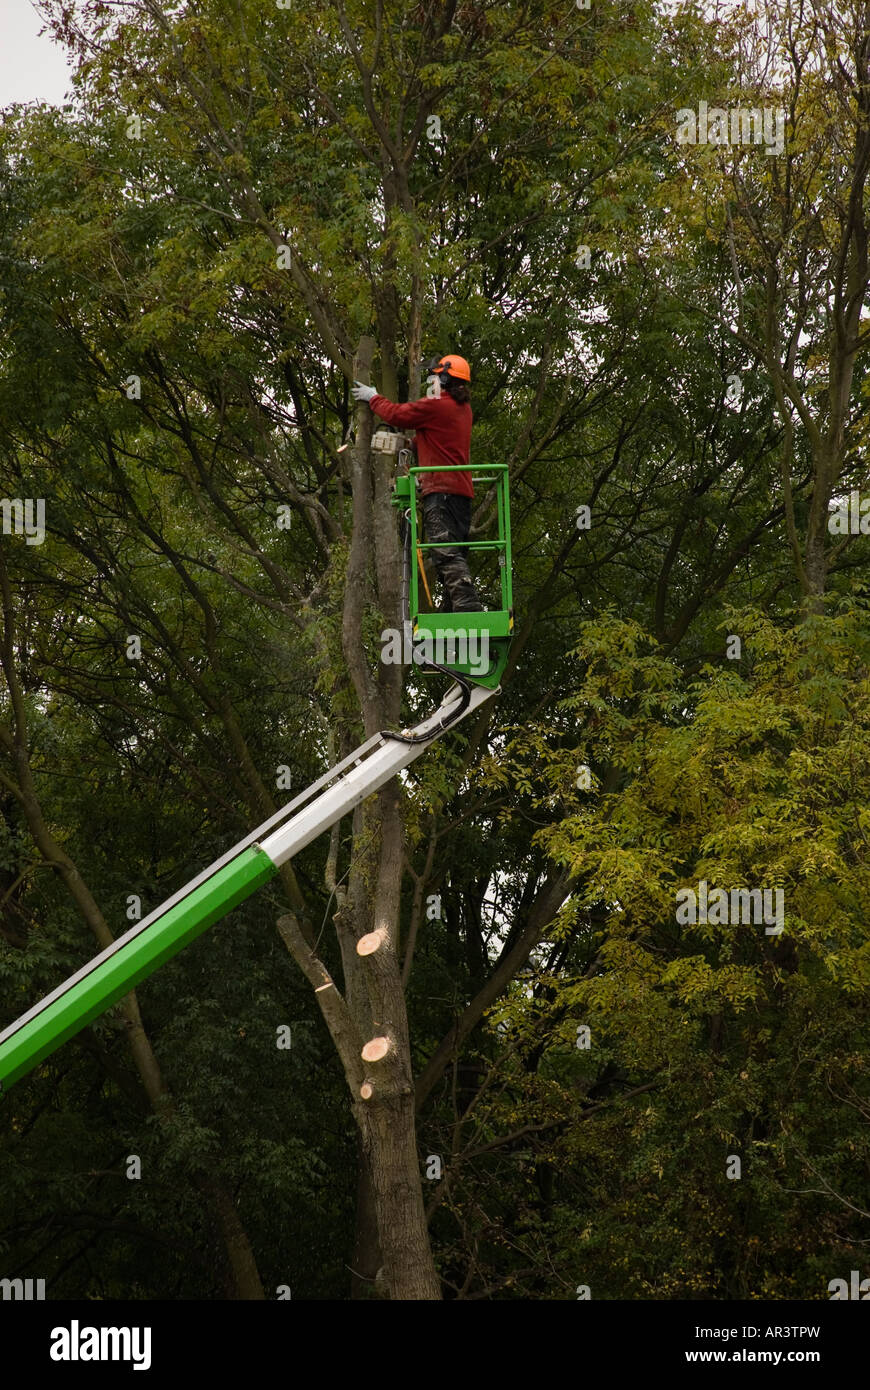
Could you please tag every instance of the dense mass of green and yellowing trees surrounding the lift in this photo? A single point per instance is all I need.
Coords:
(591, 1090)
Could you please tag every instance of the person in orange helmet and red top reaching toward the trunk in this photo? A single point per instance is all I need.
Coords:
(443, 420)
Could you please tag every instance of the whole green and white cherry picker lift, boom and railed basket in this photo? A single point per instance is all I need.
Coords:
(256, 860)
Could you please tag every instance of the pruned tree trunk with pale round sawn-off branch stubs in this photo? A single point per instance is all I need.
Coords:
(375, 1000)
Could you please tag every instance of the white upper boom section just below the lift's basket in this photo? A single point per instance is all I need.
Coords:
(379, 761)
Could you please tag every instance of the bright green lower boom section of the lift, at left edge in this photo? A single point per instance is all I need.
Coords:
(122, 971)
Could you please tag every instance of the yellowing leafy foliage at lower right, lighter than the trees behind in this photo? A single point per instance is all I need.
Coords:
(708, 1040)
